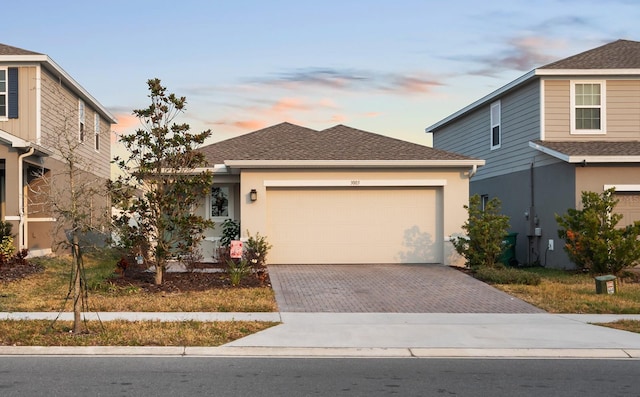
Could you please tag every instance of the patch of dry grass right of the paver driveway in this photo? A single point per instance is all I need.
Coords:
(569, 292)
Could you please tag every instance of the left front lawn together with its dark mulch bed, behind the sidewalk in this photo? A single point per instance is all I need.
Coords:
(108, 291)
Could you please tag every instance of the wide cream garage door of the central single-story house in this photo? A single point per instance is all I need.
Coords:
(354, 225)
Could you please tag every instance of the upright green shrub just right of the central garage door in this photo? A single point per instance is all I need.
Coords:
(485, 229)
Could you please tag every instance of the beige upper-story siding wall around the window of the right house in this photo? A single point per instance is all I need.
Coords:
(622, 111)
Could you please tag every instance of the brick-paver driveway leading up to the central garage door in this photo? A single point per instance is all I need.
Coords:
(387, 288)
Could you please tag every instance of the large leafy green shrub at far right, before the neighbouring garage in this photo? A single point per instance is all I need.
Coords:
(592, 240)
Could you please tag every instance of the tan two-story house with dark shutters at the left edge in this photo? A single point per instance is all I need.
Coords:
(41, 106)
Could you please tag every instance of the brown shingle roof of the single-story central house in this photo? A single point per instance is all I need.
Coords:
(288, 141)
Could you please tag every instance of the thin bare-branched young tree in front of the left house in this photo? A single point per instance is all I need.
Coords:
(74, 195)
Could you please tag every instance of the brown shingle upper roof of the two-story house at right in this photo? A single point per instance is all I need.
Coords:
(620, 54)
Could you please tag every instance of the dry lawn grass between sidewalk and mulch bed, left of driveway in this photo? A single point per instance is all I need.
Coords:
(47, 291)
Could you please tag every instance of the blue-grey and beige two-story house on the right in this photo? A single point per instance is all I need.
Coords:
(561, 129)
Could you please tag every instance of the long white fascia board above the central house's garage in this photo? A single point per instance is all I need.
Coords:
(352, 163)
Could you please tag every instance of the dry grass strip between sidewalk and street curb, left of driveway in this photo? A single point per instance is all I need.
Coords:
(123, 333)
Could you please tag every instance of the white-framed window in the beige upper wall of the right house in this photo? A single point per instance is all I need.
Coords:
(588, 107)
